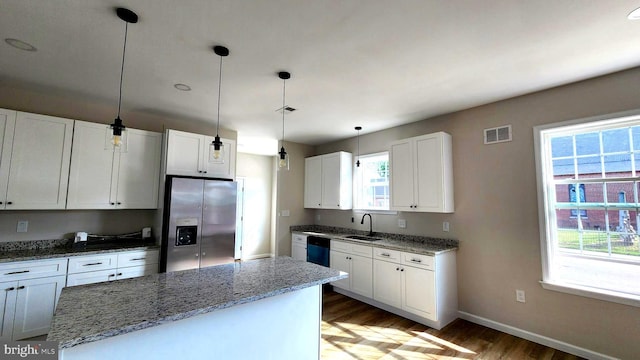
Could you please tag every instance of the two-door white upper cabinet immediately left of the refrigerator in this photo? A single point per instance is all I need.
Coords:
(103, 178)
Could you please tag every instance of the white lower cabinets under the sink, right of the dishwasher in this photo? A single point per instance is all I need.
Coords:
(417, 286)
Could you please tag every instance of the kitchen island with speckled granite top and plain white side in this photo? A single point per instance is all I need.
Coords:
(268, 309)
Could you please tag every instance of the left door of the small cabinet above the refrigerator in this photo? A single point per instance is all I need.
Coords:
(184, 153)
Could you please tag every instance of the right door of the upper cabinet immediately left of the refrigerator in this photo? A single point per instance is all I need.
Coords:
(138, 173)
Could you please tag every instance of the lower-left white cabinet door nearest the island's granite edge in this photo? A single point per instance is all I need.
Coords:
(35, 304)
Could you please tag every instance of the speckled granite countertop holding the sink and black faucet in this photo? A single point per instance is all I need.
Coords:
(410, 243)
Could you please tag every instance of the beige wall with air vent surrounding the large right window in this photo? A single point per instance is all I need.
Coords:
(496, 218)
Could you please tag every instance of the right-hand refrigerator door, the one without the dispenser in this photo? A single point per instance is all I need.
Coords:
(218, 223)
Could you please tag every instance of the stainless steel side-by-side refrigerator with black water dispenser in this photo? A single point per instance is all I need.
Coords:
(199, 223)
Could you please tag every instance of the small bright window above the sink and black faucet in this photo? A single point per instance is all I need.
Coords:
(371, 182)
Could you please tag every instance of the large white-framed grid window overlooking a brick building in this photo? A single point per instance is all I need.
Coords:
(589, 191)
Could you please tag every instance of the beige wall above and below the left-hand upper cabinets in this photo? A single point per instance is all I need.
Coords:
(61, 224)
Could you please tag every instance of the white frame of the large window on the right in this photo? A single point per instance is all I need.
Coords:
(545, 208)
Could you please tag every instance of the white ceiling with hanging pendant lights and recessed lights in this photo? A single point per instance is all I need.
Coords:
(372, 63)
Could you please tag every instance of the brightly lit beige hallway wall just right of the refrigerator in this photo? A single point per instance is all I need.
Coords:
(257, 172)
